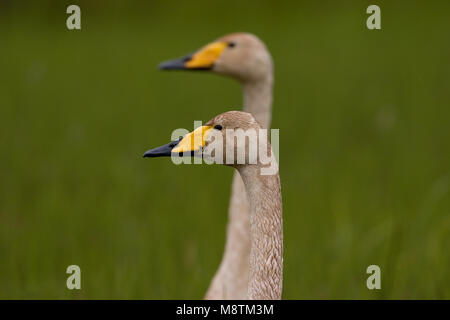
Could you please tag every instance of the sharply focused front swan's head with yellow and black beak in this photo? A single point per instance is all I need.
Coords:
(232, 138)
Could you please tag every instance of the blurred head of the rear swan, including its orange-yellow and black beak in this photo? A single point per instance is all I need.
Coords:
(240, 55)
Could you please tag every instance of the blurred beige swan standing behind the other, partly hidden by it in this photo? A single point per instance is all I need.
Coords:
(244, 57)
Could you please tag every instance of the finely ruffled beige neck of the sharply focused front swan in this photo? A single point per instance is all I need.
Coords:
(266, 233)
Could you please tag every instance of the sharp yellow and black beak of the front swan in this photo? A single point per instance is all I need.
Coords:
(190, 143)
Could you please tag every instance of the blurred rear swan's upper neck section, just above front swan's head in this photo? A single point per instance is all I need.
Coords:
(258, 99)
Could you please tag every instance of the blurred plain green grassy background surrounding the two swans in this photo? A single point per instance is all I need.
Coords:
(364, 156)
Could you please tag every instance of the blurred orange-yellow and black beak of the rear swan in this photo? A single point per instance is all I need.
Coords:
(202, 59)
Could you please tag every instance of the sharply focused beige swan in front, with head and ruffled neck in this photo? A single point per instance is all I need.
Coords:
(265, 267)
